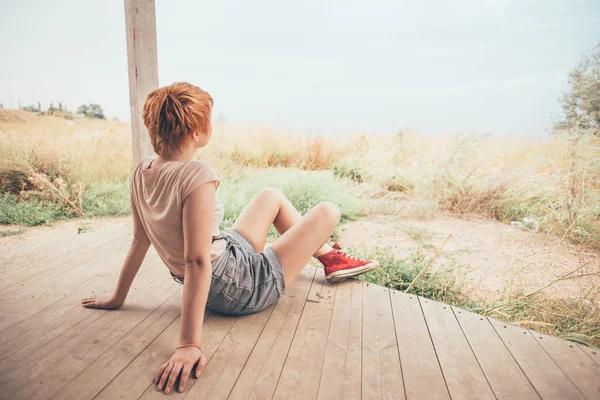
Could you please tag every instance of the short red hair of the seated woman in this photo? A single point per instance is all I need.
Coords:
(172, 113)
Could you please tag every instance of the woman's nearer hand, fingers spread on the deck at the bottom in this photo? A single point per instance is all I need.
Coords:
(181, 362)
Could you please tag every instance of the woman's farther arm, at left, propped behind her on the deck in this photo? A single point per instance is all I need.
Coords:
(131, 266)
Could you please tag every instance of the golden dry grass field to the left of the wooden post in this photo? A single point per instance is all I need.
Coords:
(79, 151)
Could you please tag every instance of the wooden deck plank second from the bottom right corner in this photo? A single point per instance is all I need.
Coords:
(545, 376)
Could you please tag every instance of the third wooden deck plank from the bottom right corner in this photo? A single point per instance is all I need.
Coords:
(502, 372)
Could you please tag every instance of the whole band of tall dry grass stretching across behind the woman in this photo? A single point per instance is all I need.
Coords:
(555, 180)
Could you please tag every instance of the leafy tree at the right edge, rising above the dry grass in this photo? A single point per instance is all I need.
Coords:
(581, 104)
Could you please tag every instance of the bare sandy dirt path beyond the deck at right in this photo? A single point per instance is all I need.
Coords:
(496, 256)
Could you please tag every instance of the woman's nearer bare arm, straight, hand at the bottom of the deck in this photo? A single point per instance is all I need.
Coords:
(197, 217)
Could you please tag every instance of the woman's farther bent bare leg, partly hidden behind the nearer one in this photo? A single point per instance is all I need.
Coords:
(269, 207)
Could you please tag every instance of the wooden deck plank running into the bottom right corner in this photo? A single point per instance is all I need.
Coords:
(573, 361)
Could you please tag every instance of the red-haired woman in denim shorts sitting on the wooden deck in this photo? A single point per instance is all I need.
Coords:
(175, 208)
